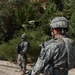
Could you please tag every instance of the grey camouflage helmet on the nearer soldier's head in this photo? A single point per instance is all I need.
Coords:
(59, 22)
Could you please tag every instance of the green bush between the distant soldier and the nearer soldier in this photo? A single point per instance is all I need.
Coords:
(35, 42)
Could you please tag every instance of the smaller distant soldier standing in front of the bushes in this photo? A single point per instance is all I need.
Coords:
(22, 50)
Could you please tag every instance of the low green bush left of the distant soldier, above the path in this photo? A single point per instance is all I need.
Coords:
(8, 50)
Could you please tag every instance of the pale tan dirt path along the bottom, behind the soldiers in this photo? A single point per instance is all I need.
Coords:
(8, 68)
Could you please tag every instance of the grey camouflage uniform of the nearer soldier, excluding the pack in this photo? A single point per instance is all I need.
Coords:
(52, 56)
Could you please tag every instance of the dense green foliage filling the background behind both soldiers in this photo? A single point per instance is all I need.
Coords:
(20, 14)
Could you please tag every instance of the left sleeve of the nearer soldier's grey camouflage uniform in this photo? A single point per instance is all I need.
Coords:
(44, 57)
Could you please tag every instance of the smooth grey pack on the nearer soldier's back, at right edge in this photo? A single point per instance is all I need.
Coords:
(70, 53)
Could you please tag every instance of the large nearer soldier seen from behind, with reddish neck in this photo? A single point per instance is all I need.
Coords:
(57, 55)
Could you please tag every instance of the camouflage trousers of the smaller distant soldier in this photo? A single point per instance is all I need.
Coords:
(22, 62)
